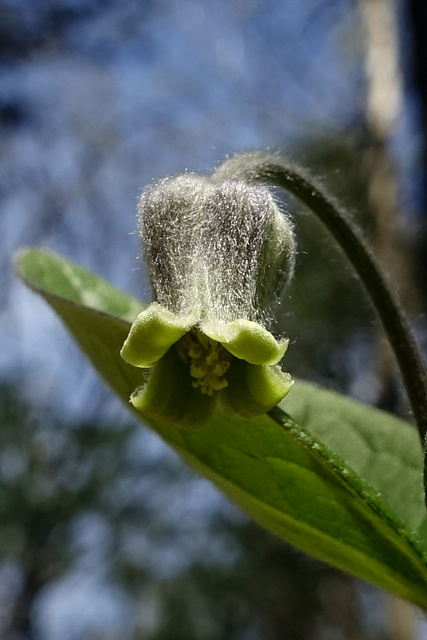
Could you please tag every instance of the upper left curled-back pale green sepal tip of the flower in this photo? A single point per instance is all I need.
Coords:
(153, 332)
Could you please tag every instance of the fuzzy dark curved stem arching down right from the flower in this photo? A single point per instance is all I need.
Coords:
(261, 167)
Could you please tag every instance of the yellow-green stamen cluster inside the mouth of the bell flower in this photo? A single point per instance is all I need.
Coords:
(208, 360)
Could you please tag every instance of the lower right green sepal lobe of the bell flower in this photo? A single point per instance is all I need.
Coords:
(254, 389)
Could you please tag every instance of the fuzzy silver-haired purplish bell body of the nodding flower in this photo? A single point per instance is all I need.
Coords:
(220, 251)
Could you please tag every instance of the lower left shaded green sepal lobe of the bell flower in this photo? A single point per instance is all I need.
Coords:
(169, 397)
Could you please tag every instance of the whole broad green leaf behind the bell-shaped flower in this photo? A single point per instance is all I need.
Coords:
(338, 480)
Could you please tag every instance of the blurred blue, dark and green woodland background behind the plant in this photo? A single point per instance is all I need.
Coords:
(104, 534)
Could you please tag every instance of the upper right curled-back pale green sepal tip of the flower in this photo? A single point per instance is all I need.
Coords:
(247, 340)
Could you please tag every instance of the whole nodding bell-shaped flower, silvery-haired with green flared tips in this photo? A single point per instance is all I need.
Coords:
(218, 255)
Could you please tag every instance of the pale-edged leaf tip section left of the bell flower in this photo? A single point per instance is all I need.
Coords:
(96, 314)
